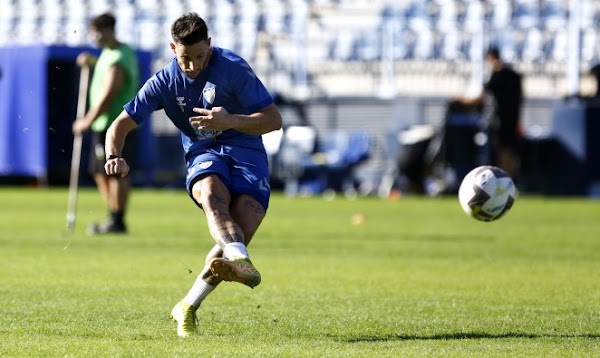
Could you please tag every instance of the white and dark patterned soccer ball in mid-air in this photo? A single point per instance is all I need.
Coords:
(487, 193)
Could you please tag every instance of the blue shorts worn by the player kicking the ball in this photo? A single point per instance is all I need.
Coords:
(242, 170)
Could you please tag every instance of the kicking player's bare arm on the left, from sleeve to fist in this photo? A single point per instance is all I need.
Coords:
(113, 146)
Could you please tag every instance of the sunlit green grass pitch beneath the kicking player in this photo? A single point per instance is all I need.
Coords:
(417, 278)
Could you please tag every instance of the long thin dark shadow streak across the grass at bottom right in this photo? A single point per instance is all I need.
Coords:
(467, 335)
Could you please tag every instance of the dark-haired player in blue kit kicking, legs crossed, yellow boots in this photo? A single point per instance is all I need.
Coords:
(222, 109)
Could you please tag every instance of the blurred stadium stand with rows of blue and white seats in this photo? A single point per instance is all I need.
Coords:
(315, 41)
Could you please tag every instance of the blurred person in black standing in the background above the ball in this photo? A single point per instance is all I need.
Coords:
(505, 86)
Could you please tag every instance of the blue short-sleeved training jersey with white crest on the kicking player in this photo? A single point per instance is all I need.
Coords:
(227, 81)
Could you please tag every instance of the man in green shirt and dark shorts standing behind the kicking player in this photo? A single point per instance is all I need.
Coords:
(114, 82)
